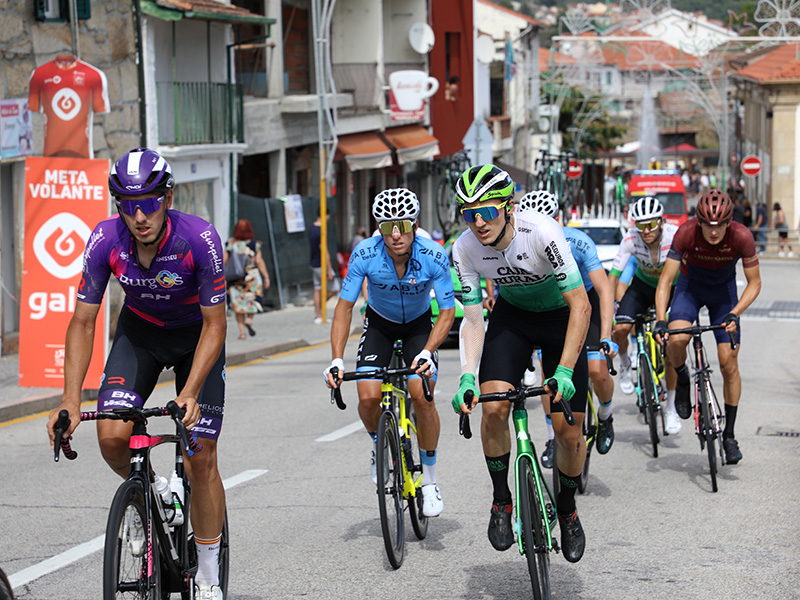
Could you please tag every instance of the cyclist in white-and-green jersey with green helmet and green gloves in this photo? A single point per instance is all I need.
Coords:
(541, 303)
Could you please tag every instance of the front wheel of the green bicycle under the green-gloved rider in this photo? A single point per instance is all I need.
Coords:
(534, 538)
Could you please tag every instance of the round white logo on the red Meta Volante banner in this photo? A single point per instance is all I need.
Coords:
(58, 245)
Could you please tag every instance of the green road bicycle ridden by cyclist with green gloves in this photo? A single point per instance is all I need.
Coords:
(536, 514)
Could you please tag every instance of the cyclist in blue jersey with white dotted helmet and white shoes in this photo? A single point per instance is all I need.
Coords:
(400, 268)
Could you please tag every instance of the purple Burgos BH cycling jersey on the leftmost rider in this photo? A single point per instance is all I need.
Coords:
(186, 272)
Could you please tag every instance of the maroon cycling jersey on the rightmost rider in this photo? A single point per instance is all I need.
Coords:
(700, 261)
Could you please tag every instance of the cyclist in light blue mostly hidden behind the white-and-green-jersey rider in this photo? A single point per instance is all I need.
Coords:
(598, 340)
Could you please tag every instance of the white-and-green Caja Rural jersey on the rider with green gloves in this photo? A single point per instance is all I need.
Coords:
(533, 272)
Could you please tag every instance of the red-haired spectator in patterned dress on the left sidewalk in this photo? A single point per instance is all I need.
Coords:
(245, 293)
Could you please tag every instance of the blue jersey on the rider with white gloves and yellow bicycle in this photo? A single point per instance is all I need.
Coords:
(399, 300)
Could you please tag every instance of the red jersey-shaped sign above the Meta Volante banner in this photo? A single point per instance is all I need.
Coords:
(68, 91)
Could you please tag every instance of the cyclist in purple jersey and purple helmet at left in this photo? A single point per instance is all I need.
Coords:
(169, 265)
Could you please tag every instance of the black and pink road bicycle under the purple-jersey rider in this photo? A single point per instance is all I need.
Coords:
(161, 559)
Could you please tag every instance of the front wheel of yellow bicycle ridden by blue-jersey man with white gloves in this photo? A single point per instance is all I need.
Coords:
(390, 488)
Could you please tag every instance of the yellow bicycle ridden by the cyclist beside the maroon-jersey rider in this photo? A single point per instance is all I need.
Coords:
(650, 392)
